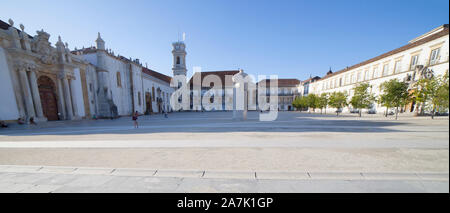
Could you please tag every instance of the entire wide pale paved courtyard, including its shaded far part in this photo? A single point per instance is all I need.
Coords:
(299, 152)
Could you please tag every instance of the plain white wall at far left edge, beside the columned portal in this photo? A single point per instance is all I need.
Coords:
(8, 106)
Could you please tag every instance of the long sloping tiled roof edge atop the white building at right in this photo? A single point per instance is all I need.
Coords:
(432, 37)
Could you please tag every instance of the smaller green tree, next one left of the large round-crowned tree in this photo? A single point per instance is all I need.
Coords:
(362, 98)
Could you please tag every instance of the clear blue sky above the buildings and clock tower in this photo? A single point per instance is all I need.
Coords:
(293, 39)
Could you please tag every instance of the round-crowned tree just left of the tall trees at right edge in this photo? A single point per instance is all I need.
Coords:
(395, 94)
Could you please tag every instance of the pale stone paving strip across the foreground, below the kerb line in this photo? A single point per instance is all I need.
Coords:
(44, 179)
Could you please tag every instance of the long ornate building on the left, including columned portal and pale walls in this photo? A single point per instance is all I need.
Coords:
(43, 82)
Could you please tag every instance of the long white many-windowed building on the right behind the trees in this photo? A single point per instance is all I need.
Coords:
(431, 50)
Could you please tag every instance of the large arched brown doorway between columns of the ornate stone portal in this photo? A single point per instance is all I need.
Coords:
(48, 98)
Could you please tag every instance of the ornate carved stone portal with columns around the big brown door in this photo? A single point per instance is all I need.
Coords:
(43, 74)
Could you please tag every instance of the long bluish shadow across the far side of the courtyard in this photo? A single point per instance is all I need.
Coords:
(209, 122)
